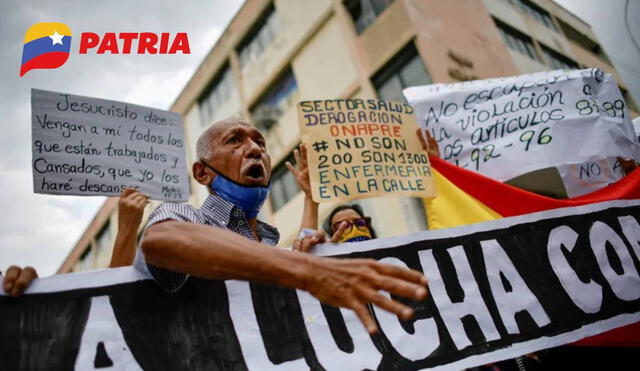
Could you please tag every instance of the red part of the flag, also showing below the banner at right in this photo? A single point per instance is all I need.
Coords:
(507, 201)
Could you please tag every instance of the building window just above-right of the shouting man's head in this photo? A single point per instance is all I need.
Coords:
(274, 103)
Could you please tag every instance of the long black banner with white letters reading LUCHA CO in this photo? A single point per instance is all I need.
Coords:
(498, 290)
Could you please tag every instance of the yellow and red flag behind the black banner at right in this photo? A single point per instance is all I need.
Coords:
(466, 197)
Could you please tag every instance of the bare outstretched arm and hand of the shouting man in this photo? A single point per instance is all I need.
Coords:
(215, 253)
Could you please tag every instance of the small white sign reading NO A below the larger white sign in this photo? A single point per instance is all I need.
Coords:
(580, 179)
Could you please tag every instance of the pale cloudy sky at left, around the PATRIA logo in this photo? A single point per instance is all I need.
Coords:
(40, 230)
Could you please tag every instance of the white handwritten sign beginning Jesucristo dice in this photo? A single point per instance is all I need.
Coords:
(97, 147)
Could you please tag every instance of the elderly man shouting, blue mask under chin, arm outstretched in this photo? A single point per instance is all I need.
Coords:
(224, 240)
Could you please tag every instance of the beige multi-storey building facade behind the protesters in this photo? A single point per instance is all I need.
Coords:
(277, 52)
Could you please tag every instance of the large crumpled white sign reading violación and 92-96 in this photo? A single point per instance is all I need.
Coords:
(506, 127)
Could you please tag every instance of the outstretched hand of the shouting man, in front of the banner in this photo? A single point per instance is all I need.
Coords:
(354, 283)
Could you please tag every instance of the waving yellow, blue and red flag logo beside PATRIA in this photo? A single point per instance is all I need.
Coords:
(46, 45)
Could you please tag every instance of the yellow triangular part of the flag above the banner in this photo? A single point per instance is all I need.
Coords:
(453, 207)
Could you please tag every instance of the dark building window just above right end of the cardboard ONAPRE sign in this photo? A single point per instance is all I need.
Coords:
(404, 70)
